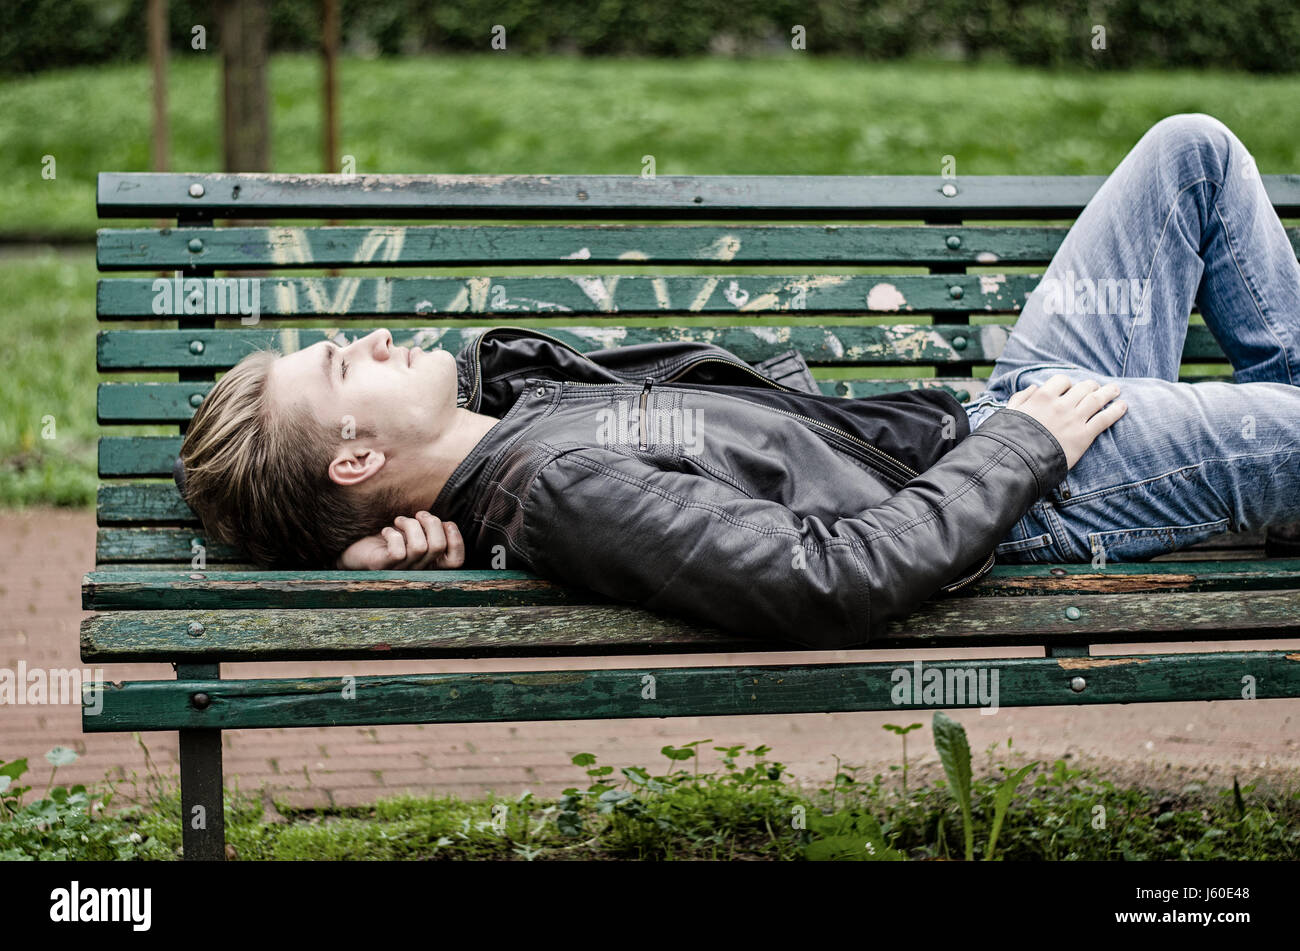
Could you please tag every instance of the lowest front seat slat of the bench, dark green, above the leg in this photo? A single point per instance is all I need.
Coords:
(681, 692)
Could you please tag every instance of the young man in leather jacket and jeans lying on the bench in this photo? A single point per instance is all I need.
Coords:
(681, 479)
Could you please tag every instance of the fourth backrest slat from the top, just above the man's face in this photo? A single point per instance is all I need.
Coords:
(825, 345)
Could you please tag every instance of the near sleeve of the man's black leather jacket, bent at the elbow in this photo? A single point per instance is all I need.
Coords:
(696, 548)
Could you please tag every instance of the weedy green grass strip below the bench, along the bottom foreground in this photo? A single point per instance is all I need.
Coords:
(748, 809)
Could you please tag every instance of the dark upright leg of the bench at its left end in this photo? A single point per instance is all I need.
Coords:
(203, 819)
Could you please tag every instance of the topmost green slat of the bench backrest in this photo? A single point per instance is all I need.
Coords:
(148, 196)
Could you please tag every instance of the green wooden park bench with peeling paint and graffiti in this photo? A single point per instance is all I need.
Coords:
(712, 267)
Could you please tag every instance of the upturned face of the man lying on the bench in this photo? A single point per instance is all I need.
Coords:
(406, 397)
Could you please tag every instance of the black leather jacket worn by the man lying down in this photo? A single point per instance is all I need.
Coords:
(681, 479)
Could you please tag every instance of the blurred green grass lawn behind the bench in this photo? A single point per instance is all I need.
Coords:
(499, 114)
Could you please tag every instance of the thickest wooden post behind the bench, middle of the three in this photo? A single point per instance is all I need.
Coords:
(246, 108)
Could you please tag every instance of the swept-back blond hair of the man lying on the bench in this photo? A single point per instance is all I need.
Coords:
(259, 477)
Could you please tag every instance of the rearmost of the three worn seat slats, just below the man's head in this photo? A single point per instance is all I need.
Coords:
(151, 590)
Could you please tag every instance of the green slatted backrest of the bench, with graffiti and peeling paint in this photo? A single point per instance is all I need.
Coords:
(924, 297)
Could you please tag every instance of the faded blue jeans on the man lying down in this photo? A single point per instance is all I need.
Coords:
(1184, 220)
